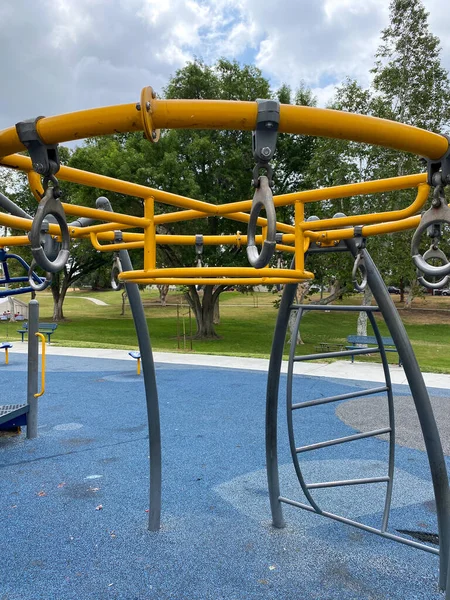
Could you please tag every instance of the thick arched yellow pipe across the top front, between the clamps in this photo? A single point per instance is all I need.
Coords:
(229, 115)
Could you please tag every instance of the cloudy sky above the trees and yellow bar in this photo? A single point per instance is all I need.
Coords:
(65, 55)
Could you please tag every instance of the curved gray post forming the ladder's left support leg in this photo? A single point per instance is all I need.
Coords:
(273, 384)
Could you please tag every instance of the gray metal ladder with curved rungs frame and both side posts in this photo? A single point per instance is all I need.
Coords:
(420, 397)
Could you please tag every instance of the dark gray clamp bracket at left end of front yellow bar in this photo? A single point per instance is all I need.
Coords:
(44, 157)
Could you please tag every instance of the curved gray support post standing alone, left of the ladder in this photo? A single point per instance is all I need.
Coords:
(151, 395)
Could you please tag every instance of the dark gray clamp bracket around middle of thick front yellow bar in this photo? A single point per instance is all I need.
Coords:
(264, 137)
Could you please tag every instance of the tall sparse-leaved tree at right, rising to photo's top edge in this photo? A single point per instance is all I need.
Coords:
(413, 88)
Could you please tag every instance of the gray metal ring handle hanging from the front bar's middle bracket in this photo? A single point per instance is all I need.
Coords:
(263, 198)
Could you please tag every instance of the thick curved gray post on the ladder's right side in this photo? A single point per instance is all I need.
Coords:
(423, 406)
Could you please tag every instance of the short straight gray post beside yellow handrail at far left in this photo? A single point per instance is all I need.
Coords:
(33, 365)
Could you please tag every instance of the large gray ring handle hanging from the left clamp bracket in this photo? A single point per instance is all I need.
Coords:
(49, 205)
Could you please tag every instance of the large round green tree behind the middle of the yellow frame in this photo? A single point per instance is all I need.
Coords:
(214, 166)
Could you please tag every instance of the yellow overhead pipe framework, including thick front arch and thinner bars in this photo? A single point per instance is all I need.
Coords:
(222, 115)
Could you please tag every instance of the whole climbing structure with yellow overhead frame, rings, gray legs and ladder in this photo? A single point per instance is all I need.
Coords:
(265, 118)
